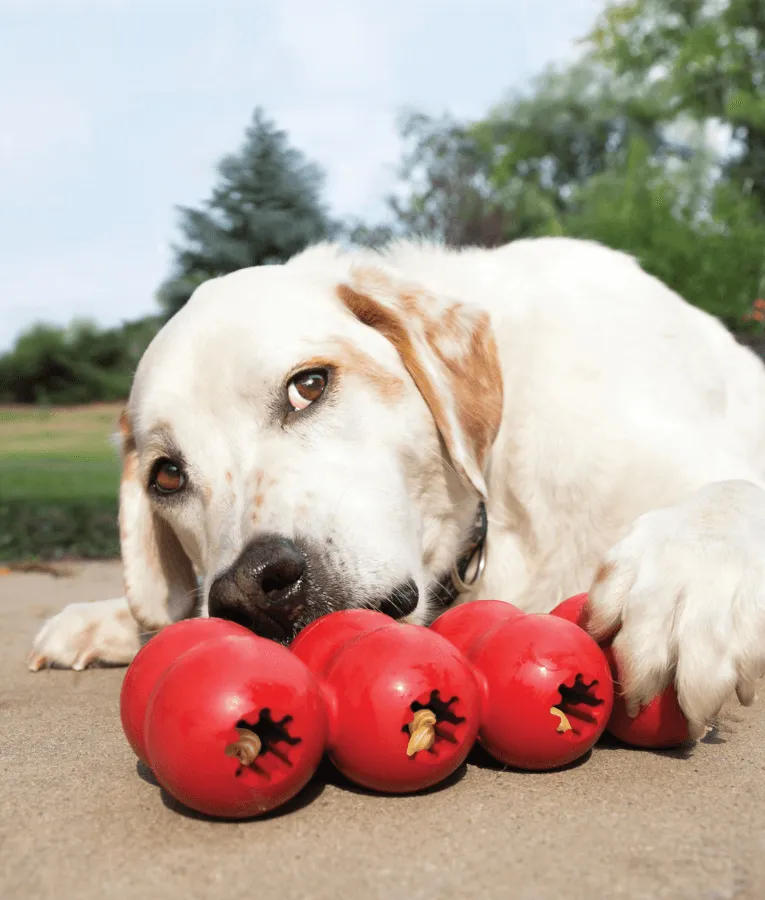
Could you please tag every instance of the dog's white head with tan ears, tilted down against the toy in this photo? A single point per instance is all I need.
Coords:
(305, 443)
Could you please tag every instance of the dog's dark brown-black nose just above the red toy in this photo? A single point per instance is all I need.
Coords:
(264, 590)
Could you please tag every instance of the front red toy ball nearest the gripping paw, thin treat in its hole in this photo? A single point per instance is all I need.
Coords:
(547, 691)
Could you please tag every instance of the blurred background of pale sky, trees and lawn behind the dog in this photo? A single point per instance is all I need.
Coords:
(146, 145)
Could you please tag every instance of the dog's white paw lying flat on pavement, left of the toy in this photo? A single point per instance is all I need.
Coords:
(86, 633)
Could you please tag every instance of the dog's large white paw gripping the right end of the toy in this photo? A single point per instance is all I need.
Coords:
(686, 589)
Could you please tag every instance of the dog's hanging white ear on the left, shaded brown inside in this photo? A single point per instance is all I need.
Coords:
(159, 578)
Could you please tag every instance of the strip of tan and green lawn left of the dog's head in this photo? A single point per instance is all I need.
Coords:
(59, 475)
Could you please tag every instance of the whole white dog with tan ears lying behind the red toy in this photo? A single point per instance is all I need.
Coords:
(325, 434)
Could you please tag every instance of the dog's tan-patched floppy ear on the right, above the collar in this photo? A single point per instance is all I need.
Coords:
(449, 350)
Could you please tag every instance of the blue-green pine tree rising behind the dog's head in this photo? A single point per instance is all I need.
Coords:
(266, 207)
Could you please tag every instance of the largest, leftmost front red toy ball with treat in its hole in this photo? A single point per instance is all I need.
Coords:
(236, 727)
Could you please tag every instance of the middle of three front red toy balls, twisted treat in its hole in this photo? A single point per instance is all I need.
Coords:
(403, 704)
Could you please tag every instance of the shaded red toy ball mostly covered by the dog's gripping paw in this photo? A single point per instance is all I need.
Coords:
(658, 726)
